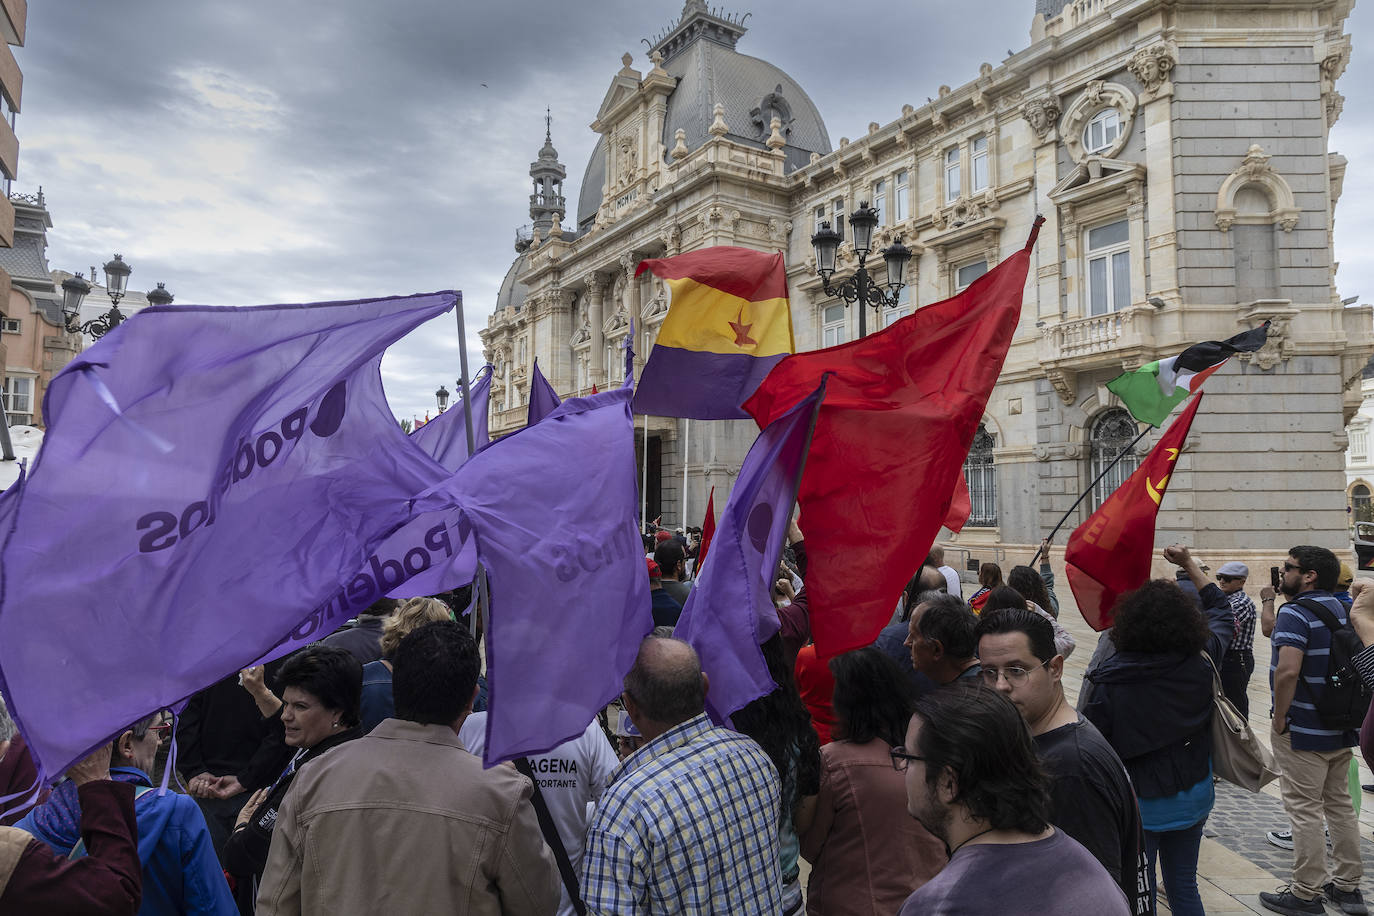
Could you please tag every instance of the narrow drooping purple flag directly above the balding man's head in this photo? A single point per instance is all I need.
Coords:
(730, 612)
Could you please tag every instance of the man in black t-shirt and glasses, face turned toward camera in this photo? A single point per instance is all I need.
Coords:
(1090, 799)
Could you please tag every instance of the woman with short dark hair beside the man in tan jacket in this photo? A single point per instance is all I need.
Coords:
(321, 689)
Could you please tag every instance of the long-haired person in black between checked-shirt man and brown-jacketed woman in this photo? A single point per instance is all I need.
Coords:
(781, 724)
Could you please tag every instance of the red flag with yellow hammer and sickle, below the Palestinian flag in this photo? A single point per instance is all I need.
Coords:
(1111, 553)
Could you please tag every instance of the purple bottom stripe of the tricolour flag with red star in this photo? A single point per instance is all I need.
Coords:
(703, 387)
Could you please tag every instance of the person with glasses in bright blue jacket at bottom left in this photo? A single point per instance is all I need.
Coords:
(181, 871)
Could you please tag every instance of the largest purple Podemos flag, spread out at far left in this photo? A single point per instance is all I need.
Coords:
(210, 477)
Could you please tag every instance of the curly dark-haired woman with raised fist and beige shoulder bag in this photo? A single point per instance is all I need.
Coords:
(1153, 704)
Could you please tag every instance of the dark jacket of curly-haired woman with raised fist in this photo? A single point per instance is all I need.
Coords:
(1156, 709)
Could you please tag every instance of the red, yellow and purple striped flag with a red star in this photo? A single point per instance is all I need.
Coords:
(728, 326)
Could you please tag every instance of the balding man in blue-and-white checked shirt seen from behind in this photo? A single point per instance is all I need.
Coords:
(690, 822)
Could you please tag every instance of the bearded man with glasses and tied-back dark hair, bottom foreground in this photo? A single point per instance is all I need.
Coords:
(975, 782)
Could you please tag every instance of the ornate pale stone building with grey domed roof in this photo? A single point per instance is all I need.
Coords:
(1178, 150)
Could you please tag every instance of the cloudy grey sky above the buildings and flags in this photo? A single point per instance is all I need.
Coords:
(248, 153)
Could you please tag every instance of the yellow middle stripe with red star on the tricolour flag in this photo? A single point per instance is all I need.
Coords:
(704, 319)
